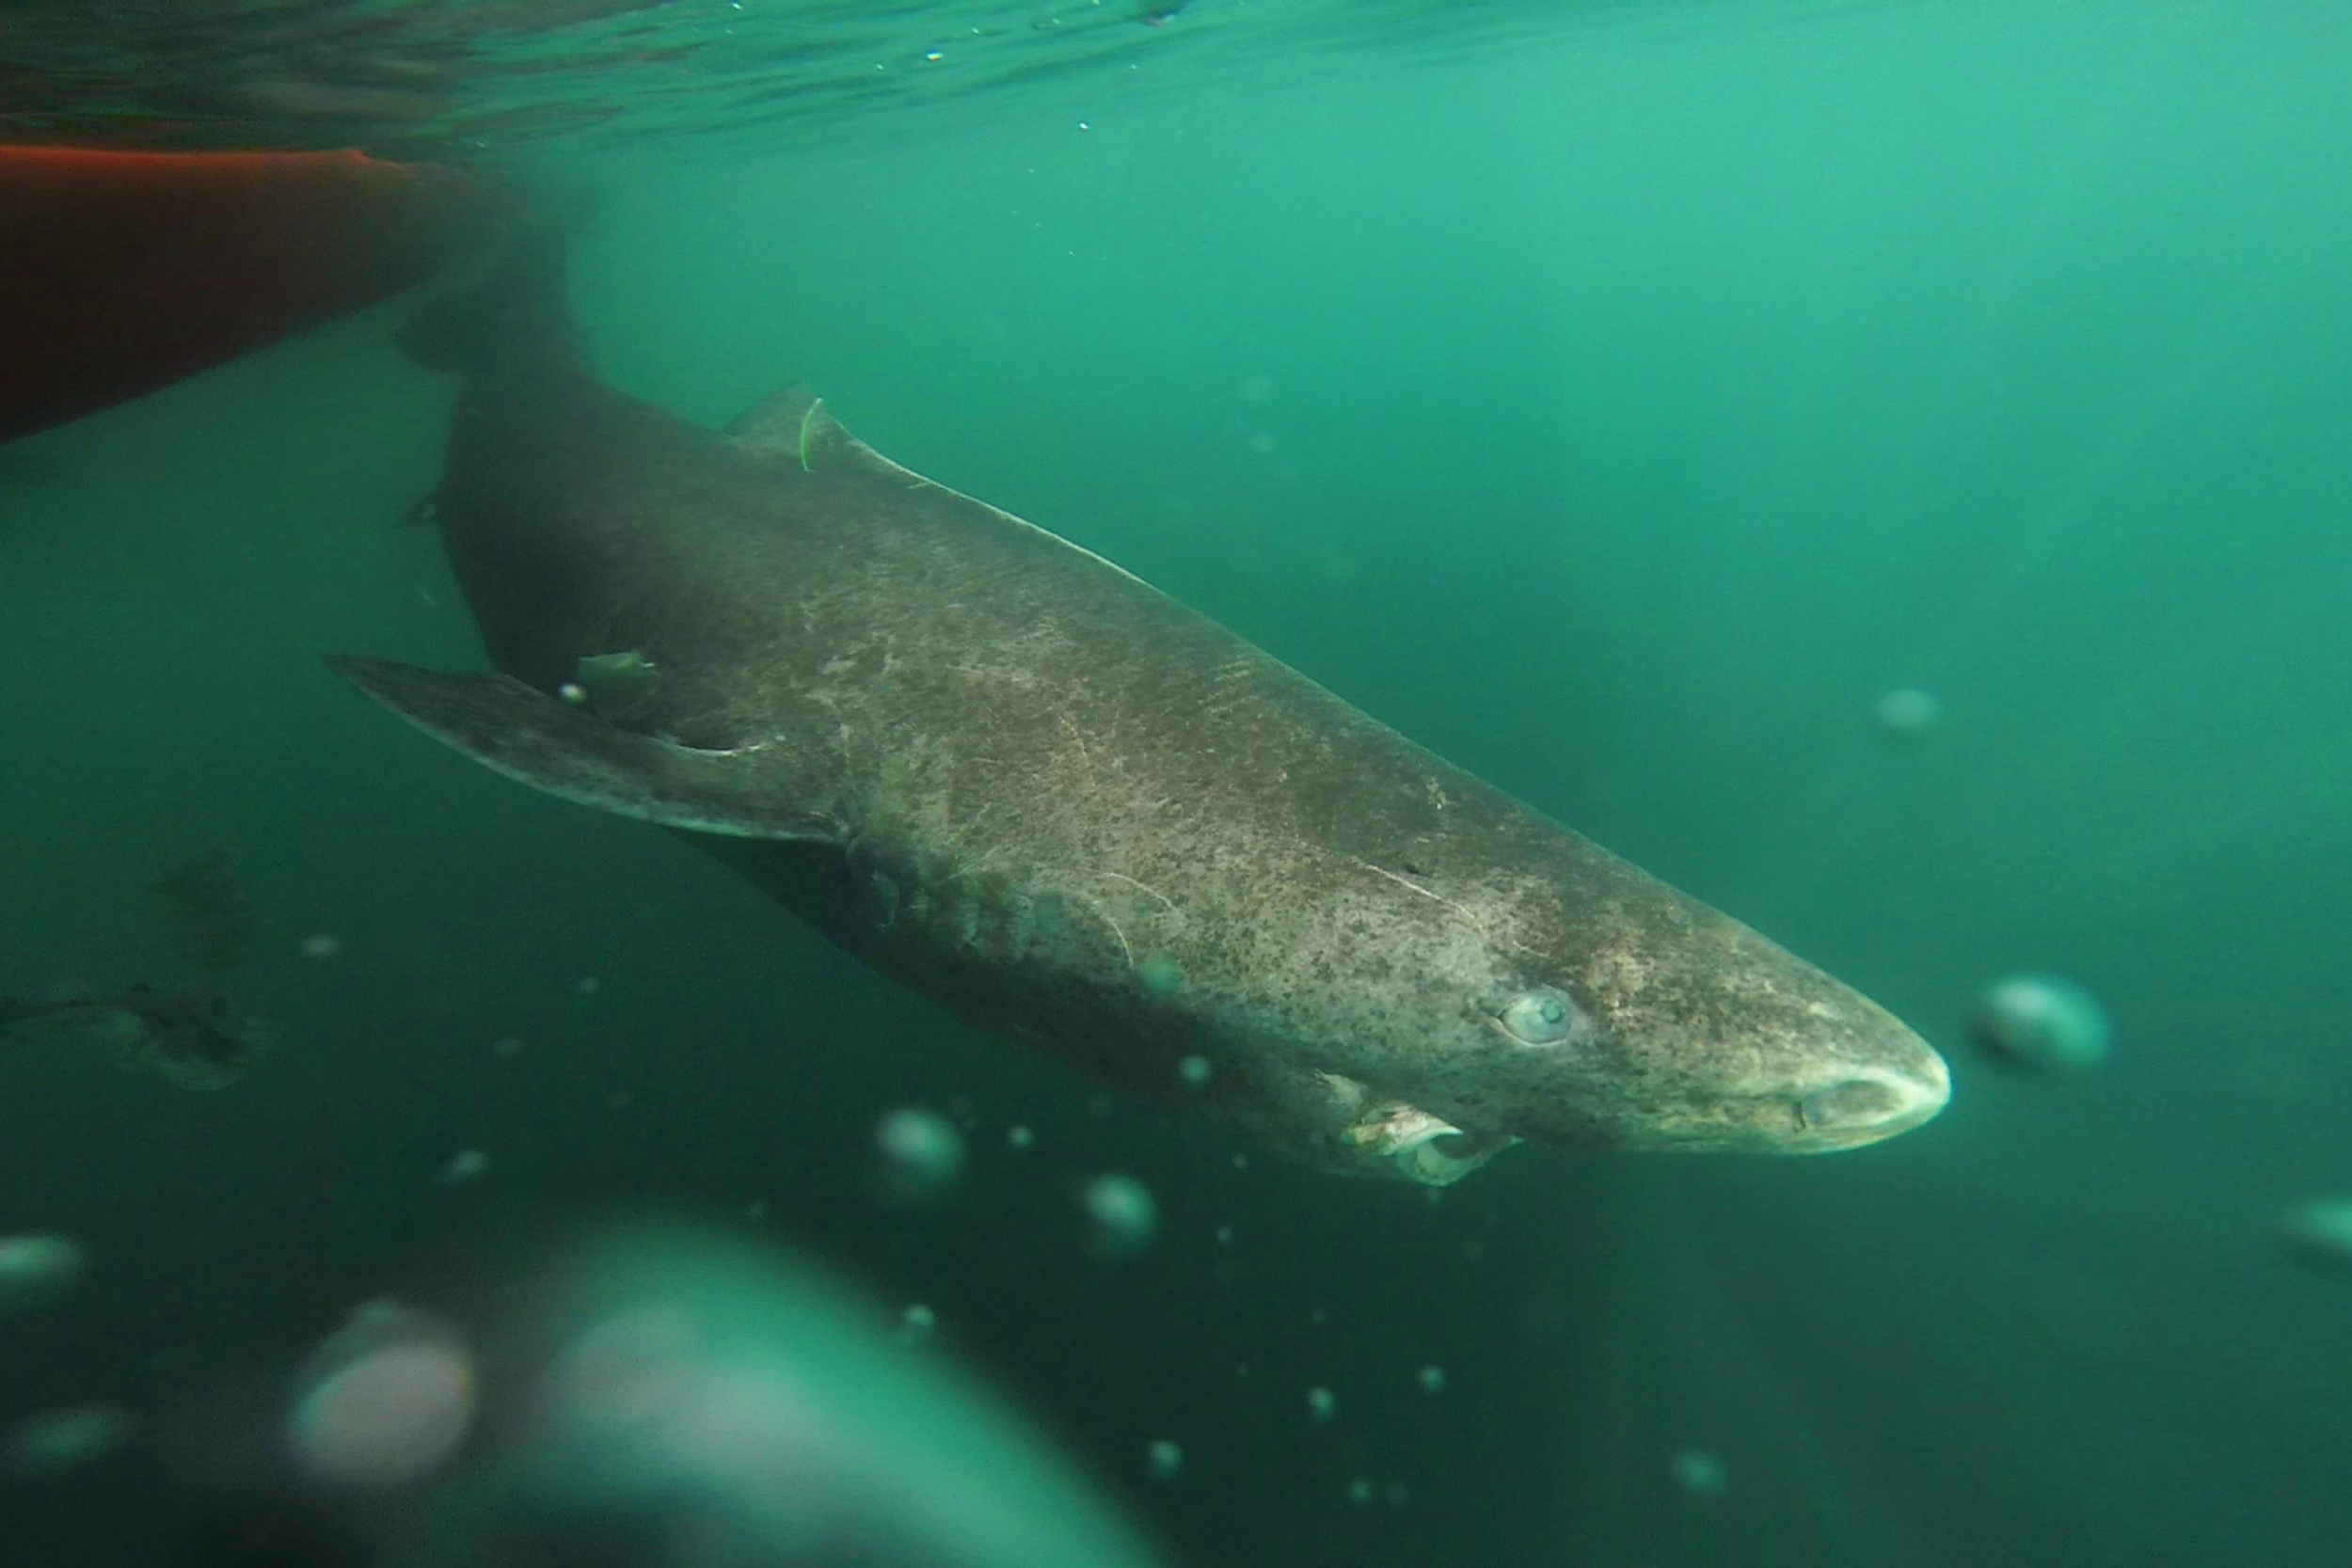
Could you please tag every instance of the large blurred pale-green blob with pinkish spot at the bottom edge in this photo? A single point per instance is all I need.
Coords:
(636, 1398)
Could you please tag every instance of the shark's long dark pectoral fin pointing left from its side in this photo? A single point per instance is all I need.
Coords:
(566, 751)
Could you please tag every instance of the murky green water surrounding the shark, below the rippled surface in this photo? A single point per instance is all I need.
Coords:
(1617, 403)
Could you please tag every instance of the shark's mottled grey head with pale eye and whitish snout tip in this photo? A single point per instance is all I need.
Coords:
(1577, 1005)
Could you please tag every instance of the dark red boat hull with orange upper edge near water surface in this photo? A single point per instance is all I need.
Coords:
(131, 272)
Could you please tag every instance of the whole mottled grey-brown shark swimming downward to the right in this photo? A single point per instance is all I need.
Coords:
(1062, 805)
